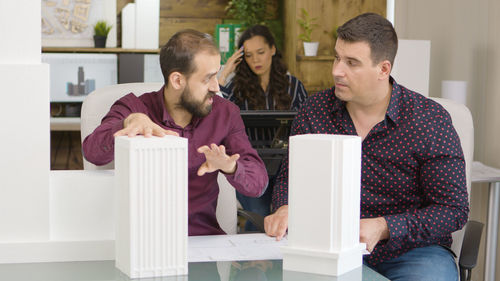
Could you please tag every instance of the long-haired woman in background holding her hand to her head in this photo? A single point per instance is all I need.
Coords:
(260, 82)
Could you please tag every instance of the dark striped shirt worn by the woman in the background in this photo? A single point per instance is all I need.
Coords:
(295, 90)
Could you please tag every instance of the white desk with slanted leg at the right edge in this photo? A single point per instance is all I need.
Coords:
(483, 173)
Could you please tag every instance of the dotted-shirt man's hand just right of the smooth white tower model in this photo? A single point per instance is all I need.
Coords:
(372, 230)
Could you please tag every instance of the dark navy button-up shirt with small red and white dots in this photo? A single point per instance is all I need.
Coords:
(413, 168)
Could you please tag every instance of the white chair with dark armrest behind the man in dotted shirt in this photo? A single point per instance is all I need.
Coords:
(465, 241)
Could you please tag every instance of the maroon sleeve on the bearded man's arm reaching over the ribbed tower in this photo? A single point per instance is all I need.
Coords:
(99, 147)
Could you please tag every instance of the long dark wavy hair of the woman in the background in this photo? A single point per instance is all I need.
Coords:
(247, 84)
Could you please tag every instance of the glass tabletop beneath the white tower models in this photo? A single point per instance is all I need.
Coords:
(266, 270)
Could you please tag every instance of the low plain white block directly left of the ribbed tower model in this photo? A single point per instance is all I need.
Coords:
(81, 205)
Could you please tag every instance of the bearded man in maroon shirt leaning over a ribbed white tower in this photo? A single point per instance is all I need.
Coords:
(187, 106)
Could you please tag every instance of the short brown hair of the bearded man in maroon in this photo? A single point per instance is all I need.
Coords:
(179, 52)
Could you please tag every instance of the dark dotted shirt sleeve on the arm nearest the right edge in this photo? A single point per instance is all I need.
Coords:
(443, 187)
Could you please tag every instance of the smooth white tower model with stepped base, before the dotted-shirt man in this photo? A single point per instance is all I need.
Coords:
(324, 205)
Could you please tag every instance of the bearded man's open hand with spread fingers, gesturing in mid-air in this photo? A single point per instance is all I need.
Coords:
(217, 159)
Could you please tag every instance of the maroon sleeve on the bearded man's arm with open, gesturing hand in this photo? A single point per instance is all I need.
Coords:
(250, 177)
